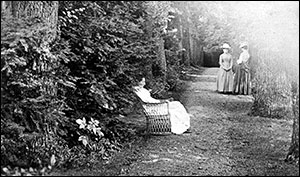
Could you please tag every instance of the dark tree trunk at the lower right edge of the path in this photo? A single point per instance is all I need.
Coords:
(293, 153)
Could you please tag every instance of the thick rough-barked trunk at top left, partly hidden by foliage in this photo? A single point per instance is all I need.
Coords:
(47, 11)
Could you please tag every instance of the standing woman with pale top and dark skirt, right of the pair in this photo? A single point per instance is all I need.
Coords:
(242, 84)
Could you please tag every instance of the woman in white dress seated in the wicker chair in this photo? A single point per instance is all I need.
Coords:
(179, 117)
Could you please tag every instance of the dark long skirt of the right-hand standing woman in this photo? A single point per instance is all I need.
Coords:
(241, 82)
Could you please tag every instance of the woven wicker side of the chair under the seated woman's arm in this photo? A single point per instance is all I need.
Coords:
(157, 117)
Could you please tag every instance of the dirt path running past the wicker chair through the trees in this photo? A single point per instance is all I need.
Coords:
(225, 141)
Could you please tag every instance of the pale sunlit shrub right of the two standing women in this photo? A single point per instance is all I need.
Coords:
(271, 89)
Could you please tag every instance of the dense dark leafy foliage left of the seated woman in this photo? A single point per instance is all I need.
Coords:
(65, 100)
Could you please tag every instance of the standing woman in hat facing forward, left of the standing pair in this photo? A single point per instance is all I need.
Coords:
(225, 74)
